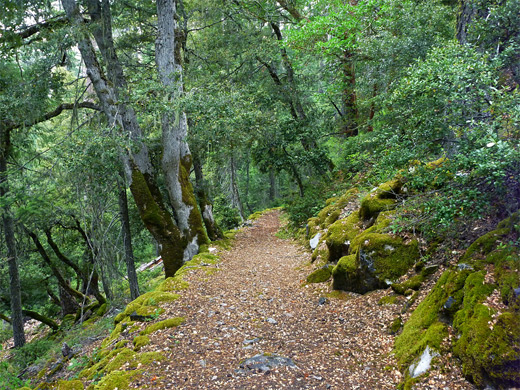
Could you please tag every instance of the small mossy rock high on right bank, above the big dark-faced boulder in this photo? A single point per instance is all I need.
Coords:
(383, 198)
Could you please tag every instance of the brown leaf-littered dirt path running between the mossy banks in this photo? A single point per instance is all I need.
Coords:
(257, 304)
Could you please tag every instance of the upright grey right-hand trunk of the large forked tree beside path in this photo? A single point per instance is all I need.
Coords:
(176, 158)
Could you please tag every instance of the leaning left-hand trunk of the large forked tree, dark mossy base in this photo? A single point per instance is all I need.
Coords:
(112, 97)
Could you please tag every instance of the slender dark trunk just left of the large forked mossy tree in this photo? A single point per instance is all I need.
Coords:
(127, 242)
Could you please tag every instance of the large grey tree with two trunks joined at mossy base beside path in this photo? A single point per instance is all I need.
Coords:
(178, 239)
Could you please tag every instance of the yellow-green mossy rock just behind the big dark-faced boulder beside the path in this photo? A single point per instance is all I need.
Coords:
(340, 234)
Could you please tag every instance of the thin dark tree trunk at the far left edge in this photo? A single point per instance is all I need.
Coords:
(14, 278)
